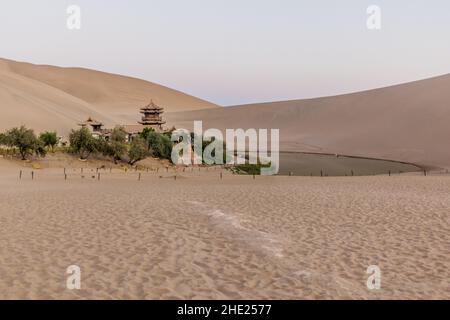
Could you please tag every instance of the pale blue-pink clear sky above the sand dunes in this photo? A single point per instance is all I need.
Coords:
(237, 51)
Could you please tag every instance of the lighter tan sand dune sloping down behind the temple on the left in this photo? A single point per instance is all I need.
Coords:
(47, 97)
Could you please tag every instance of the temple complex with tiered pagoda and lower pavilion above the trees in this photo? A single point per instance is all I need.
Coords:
(151, 118)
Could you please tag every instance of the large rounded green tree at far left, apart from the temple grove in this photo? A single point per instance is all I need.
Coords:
(24, 140)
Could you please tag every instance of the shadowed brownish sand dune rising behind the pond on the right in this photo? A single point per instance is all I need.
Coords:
(407, 122)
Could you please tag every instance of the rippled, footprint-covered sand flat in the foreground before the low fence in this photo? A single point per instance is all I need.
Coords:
(200, 237)
